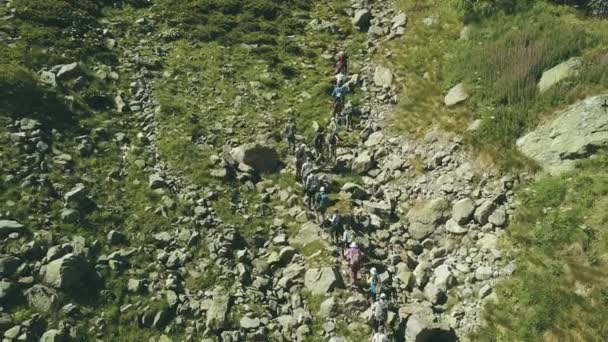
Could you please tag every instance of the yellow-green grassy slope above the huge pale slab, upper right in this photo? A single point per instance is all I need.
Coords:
(500, 64)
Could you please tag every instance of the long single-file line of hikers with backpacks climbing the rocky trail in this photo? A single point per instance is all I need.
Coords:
(316, 186)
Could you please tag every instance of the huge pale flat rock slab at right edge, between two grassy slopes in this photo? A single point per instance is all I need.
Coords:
(574, 134)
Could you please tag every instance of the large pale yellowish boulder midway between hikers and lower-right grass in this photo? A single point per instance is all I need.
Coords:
(425, 218)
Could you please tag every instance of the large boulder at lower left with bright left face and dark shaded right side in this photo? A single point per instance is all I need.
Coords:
(66, 272)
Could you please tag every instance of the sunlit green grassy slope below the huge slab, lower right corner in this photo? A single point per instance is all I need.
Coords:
(559, 241)
